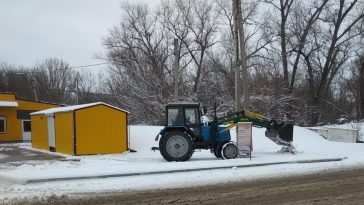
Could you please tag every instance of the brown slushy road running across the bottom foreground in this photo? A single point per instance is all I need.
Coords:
(340, 187)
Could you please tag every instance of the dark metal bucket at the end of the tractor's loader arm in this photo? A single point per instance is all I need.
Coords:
(281, 134)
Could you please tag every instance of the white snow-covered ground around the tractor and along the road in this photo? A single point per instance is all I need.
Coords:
(308, 144)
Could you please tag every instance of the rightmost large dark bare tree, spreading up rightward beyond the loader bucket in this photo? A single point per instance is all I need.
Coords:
(333, 40)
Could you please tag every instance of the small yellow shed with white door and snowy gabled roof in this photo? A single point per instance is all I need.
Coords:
(95, 128)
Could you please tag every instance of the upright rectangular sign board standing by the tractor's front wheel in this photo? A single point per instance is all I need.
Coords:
(244, 138)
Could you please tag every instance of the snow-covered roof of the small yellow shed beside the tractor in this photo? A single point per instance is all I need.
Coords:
(51, 111)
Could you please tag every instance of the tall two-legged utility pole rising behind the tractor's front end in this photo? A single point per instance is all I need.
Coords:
(239, 56)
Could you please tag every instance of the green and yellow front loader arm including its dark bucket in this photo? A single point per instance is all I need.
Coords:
(280, 133)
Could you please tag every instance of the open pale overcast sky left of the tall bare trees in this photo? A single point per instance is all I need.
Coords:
(32, 30)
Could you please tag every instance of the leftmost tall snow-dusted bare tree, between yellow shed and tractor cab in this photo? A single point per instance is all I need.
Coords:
(140, 79)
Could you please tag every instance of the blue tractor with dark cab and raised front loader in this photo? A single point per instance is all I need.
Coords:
(184, 132)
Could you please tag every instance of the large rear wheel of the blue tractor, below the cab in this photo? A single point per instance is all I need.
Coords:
(176, 146)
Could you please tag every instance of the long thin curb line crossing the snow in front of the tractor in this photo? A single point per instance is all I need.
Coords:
(32, 181)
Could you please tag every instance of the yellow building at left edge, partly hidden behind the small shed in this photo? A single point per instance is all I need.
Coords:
(15, 124)
